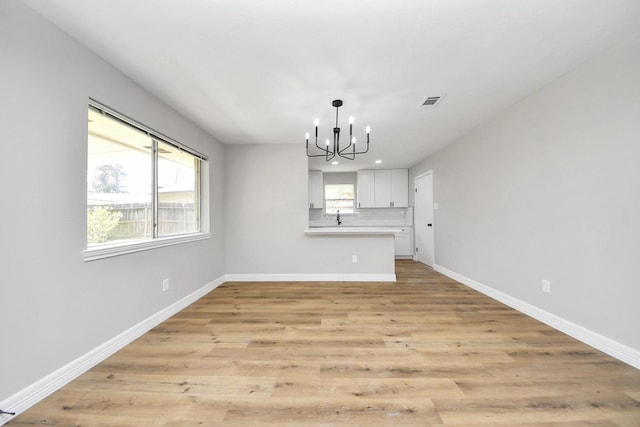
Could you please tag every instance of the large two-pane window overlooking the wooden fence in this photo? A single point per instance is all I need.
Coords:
(141, 186)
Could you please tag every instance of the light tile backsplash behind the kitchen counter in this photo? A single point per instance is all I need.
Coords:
(378, 217)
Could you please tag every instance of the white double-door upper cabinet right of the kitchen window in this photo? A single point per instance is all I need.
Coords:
(383, 188)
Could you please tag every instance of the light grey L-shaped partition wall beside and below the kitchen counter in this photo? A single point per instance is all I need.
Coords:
(267, 213)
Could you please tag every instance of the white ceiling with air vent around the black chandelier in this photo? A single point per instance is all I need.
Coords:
(260, 71)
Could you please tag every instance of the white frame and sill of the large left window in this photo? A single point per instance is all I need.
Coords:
(106, 250)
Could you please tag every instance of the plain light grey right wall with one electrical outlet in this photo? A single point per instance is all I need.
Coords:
(550, 189)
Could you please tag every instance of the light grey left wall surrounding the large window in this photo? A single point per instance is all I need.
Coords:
(54, 306)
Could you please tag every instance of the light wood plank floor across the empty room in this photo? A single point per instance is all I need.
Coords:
(423, 351)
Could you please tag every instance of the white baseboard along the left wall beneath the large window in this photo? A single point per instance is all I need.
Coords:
(42, 388)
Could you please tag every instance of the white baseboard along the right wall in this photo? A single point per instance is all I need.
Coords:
(612, 348)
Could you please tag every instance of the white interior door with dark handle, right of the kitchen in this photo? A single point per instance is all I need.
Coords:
(423, 219)
